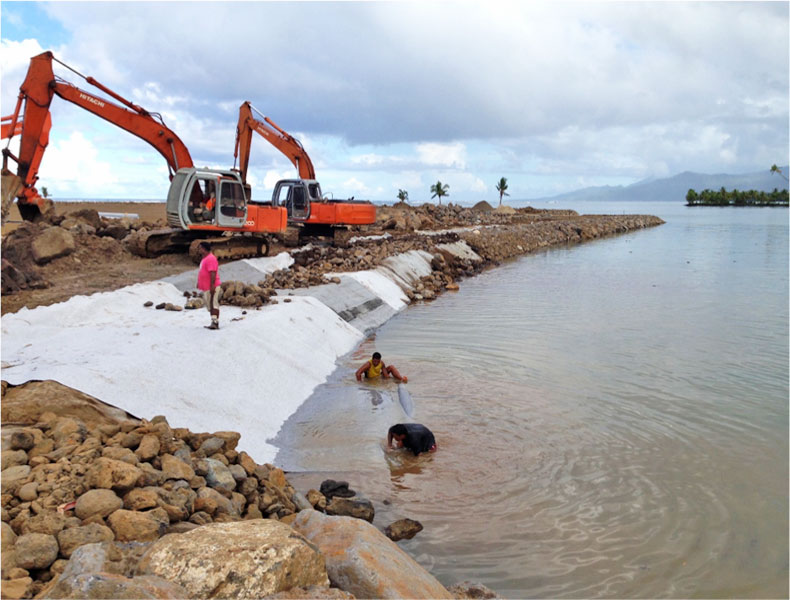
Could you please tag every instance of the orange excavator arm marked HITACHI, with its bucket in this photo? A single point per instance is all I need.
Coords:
(36, 94)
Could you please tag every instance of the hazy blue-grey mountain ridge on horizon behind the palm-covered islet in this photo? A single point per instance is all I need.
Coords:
(674, 188)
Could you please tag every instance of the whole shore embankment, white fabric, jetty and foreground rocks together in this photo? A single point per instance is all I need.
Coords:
(81, 478)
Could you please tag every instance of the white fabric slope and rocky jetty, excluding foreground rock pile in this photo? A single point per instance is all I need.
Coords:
(265, 360)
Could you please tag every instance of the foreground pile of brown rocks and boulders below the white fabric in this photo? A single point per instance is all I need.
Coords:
(98, 503)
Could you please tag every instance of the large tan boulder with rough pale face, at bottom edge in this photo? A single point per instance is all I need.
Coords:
(249, 559)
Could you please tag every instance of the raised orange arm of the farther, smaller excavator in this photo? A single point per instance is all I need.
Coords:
(277, 137)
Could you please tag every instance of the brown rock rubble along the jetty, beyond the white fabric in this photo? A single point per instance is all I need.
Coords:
(504, 235)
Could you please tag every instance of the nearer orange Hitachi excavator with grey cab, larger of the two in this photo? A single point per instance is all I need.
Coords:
(202, 203)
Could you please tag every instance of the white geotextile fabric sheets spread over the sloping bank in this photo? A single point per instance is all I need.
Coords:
(249, 376)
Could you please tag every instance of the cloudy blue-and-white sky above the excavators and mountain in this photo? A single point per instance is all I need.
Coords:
(554, 96)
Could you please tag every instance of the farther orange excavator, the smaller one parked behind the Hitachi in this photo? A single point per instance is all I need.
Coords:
(308, 210)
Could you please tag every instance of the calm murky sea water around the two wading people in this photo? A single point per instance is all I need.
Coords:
(612, 417)
